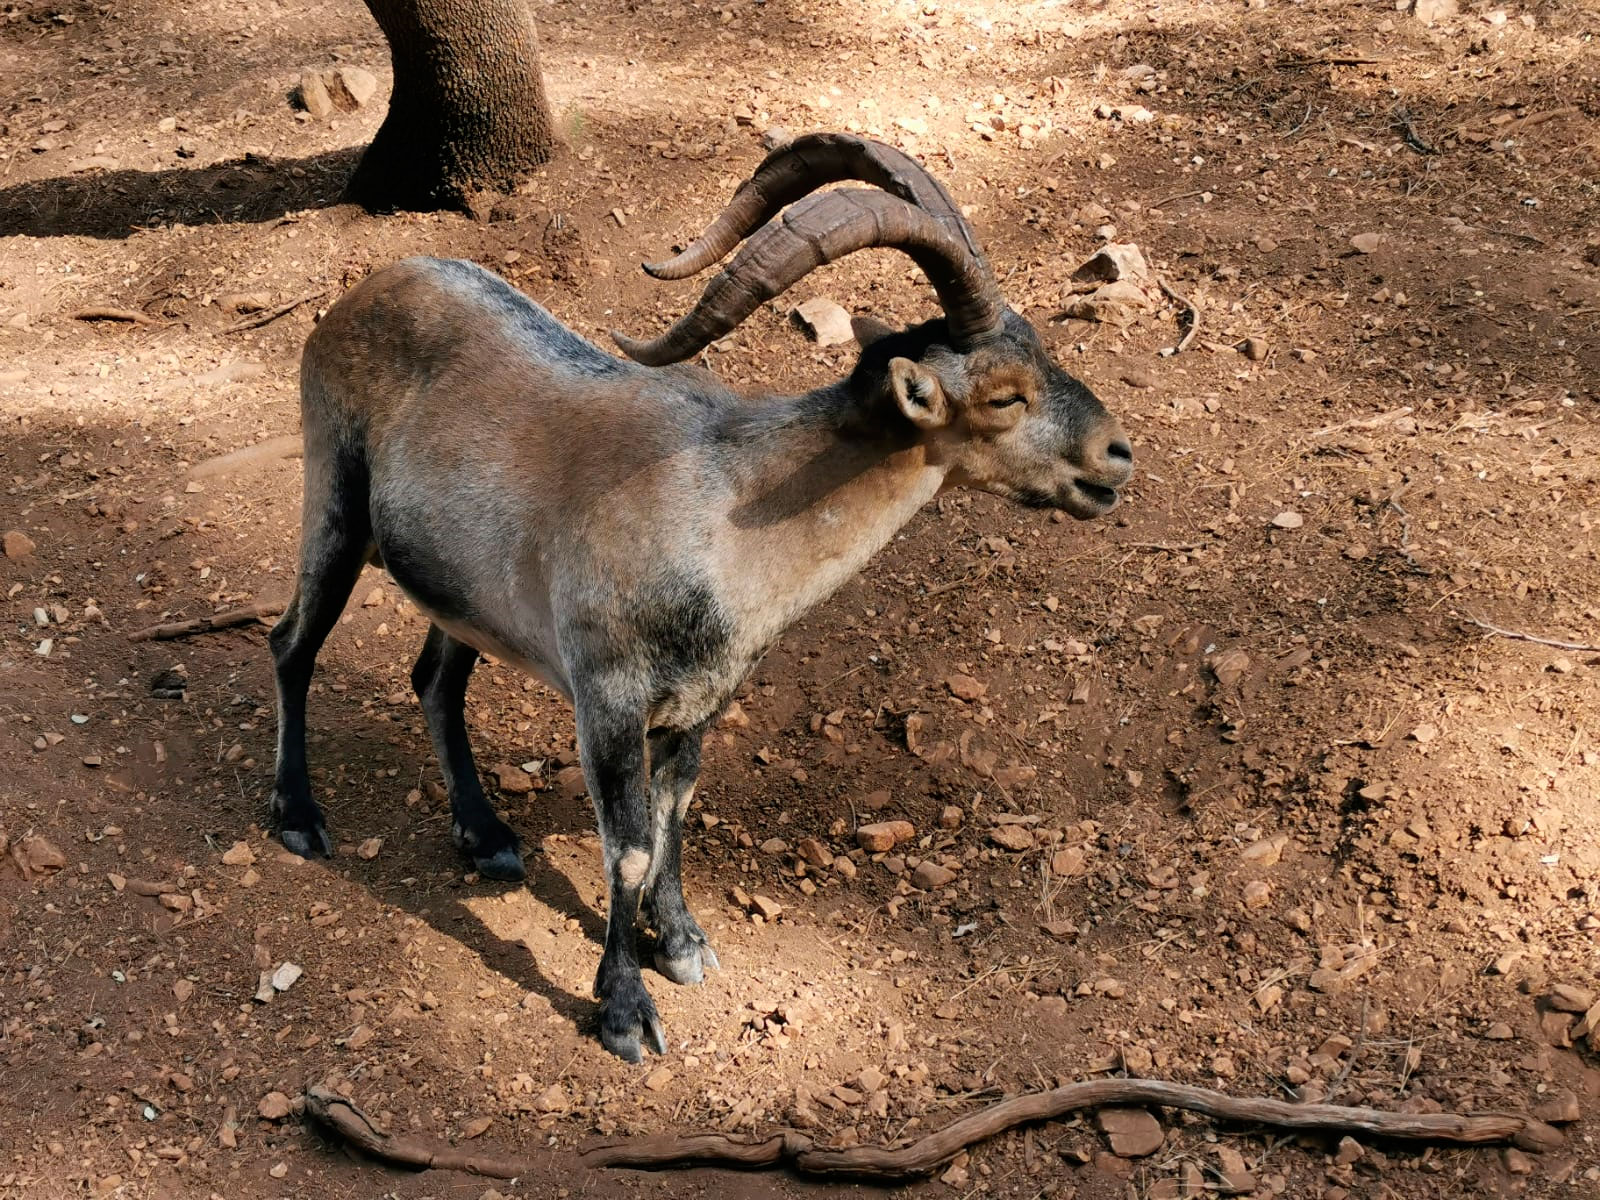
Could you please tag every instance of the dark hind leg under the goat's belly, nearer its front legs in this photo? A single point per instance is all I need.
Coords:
(441, 681)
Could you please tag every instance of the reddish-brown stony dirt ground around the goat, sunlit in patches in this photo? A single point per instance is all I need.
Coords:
(1250, 794)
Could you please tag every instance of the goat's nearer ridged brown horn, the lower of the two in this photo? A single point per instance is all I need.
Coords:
(817, 231)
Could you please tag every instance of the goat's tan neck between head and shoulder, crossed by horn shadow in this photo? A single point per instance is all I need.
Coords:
(817, 492)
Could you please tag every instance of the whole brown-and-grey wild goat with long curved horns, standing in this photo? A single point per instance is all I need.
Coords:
(638, 535)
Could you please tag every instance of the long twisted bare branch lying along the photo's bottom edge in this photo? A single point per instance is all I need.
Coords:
(922, 1158)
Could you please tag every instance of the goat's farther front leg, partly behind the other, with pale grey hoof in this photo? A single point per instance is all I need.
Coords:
(682, 950)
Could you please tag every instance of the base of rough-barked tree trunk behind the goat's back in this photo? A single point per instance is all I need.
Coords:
(468, 110)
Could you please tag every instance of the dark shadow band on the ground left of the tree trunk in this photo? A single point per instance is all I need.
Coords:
(124, 202)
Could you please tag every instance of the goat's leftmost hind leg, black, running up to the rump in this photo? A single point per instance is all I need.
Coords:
(335, 542)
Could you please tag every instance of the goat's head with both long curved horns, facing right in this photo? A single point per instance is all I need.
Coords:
(977, 386)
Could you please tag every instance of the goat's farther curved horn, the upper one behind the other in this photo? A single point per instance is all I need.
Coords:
(798, 170)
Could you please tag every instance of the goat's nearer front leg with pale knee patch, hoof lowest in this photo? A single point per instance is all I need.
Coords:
(612, 743)
